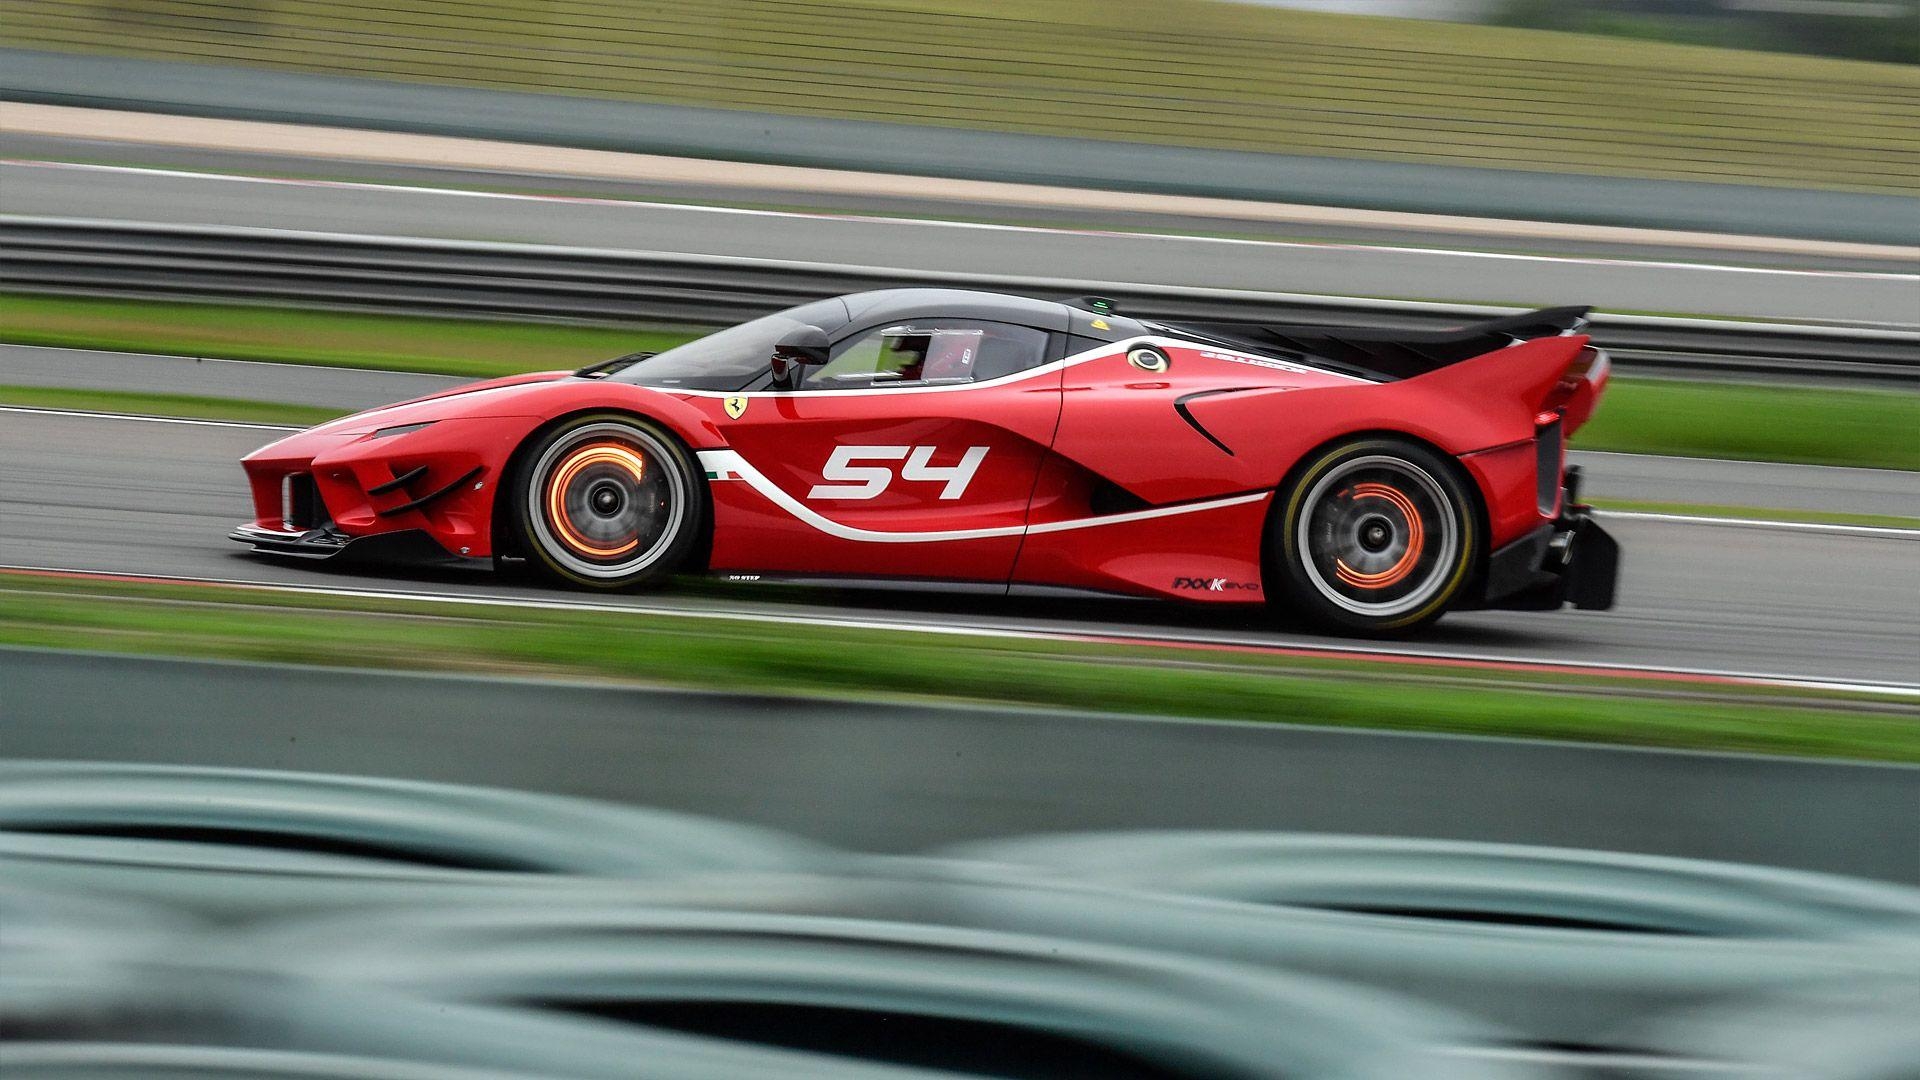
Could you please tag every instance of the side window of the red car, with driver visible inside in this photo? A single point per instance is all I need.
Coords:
(930, 353)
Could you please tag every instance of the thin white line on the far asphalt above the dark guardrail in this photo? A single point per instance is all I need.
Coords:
(938, 224)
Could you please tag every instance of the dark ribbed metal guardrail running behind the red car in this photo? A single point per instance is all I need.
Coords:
(460, 278)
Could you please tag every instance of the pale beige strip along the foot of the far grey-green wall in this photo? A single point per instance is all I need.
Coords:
(235, 147)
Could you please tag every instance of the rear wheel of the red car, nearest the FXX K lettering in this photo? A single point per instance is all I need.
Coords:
(1376, 537)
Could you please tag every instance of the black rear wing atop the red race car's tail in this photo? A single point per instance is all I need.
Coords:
(1393, 355)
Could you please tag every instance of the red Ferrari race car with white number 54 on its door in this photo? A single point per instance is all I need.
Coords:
(1370, 479)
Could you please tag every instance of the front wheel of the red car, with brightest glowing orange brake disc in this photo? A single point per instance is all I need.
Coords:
(606, 501)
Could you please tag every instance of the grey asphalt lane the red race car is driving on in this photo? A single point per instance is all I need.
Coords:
(158, 499)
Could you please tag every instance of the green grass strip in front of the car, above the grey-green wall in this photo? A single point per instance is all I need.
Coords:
(742, 656)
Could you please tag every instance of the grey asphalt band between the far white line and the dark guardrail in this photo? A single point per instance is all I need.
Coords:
(944, 247)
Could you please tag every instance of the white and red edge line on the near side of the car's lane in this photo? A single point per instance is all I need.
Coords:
(1161, 637)
